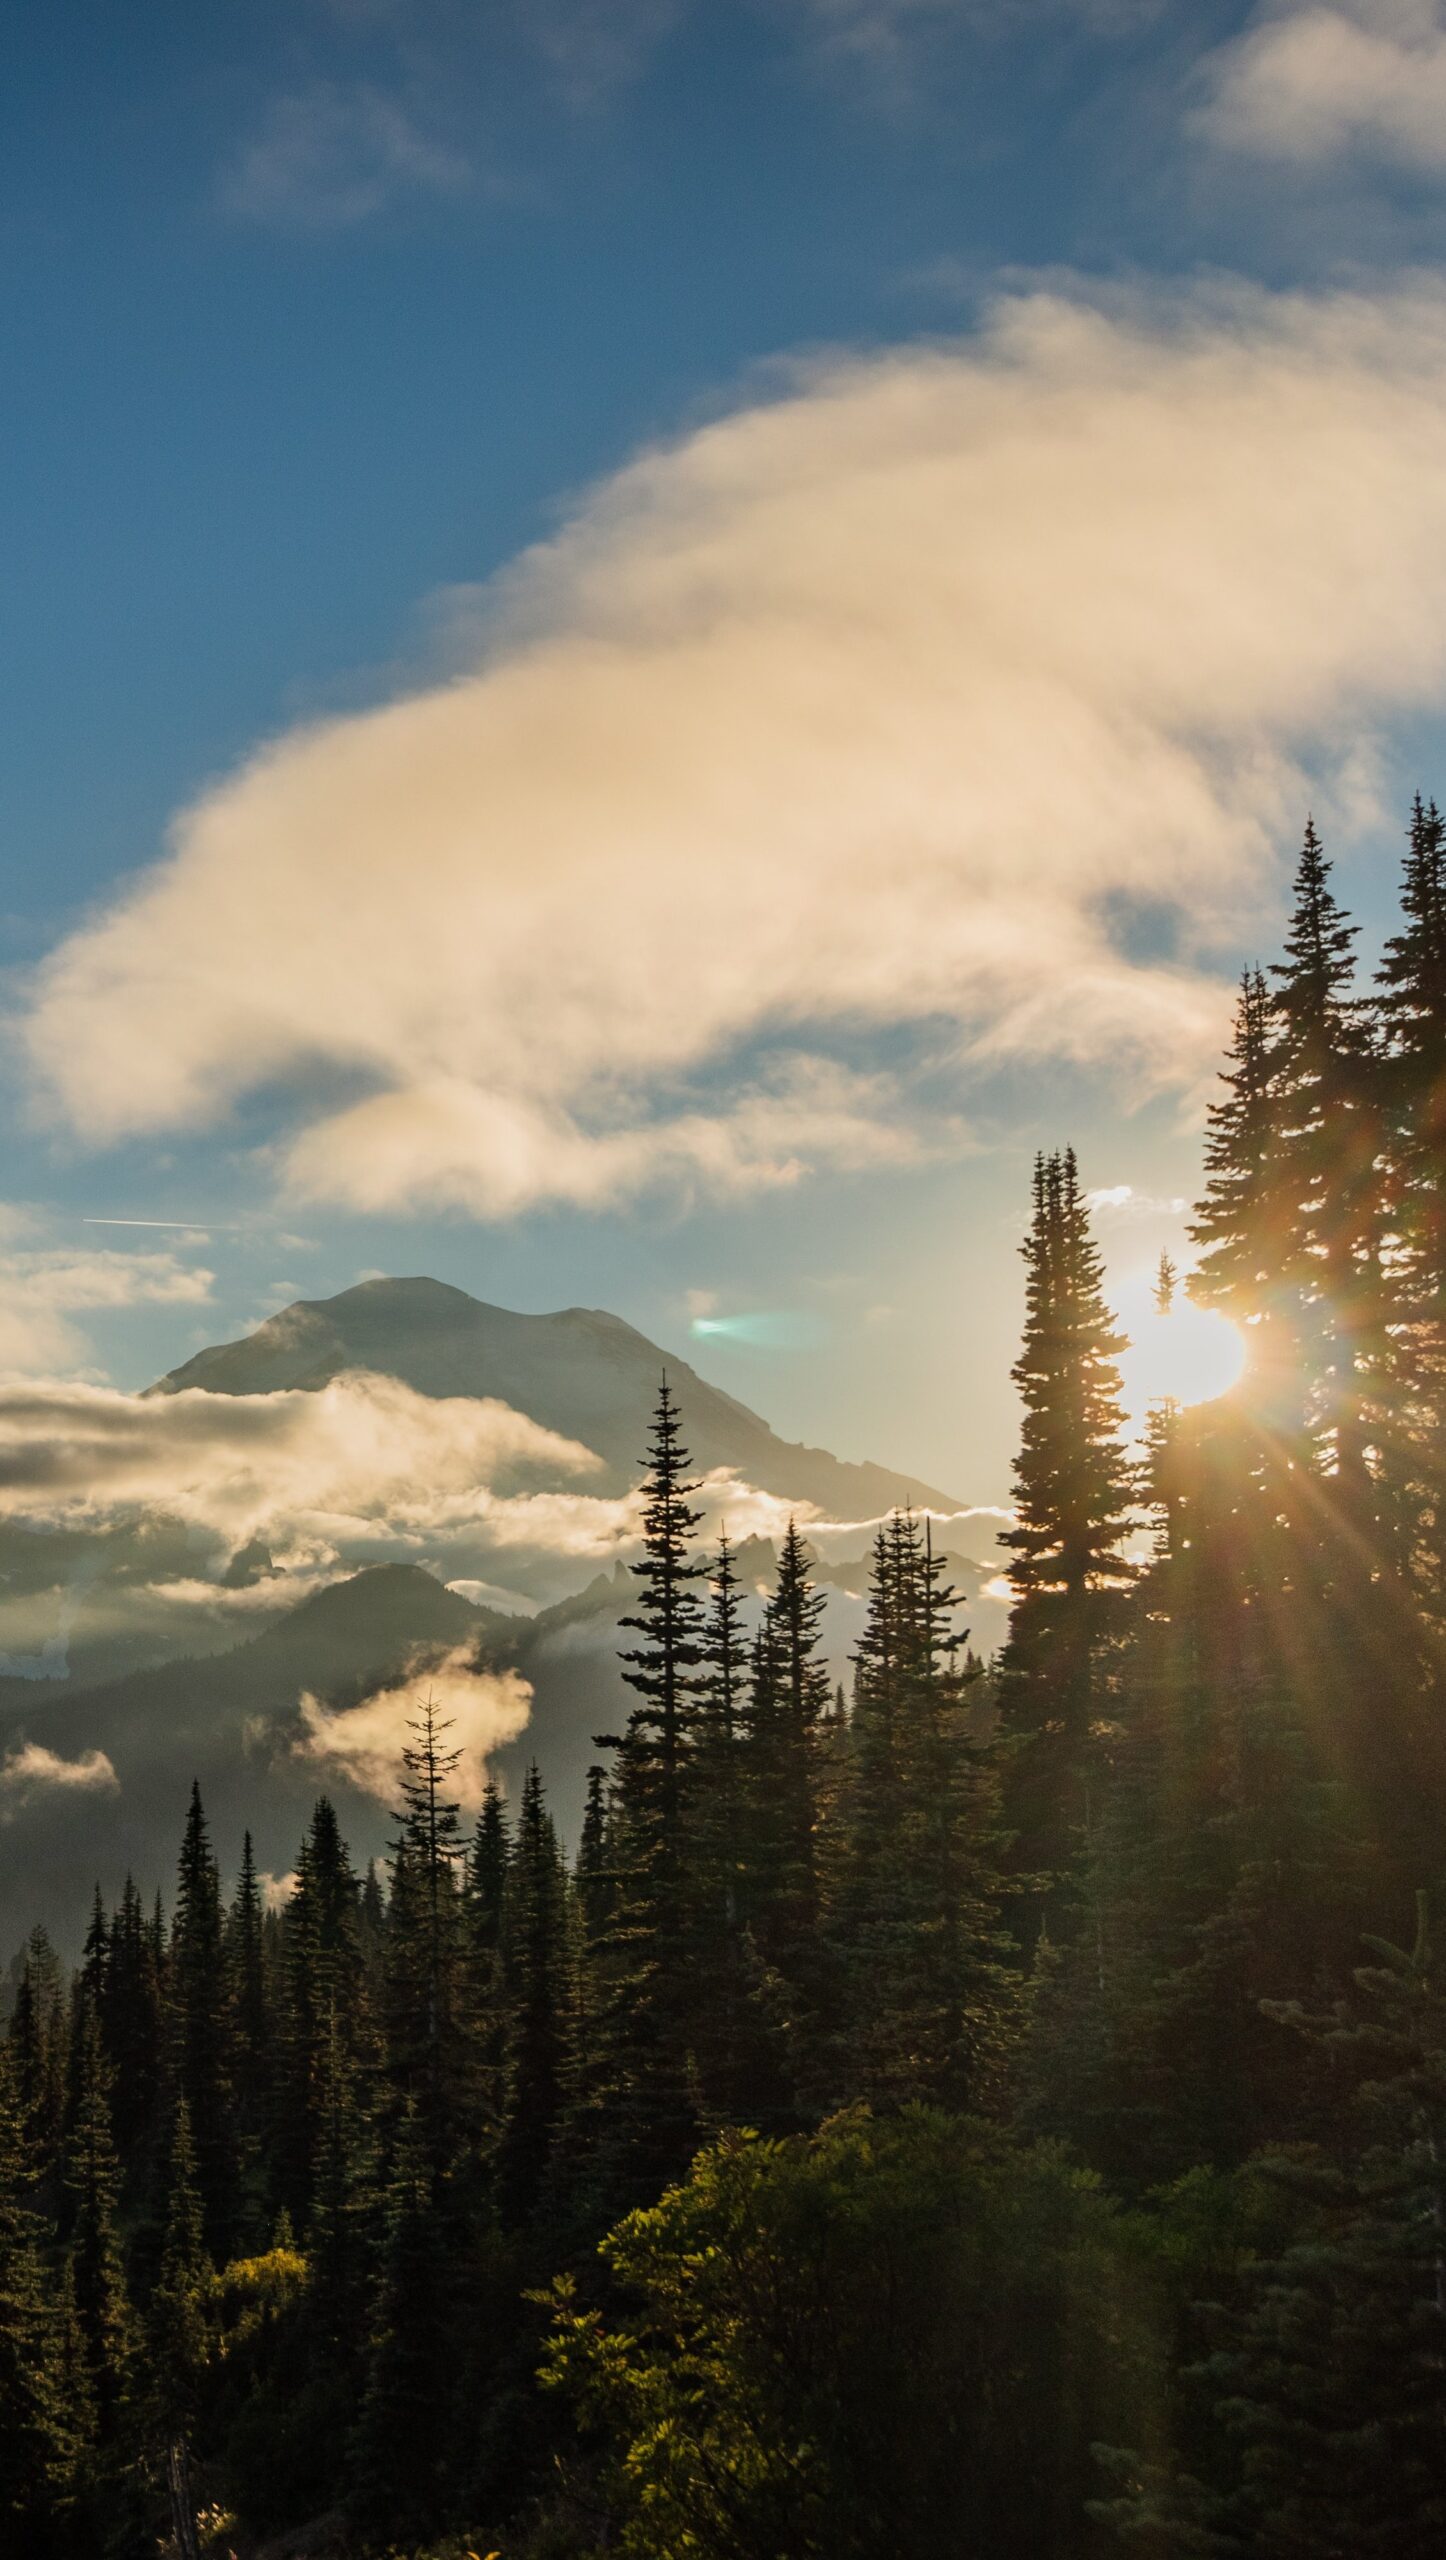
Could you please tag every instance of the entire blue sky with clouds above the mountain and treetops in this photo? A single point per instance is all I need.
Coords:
(646, 641)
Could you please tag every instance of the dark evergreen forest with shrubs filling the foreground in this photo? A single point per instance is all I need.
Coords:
(989, 2108)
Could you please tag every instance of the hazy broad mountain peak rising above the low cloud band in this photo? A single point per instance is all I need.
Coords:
(580, 1373)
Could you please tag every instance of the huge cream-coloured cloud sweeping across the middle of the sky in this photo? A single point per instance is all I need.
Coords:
(879, 703)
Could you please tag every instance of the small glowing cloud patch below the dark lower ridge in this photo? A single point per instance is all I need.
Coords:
(482, 1711)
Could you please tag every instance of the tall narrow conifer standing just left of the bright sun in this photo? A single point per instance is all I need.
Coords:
(1074, 1512)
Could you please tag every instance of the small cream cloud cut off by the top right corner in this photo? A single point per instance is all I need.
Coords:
(1330, 83)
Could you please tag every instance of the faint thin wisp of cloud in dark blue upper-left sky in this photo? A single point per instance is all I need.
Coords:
(337, 155)
